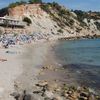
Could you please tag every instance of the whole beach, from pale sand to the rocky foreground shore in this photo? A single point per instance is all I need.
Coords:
(27, 68)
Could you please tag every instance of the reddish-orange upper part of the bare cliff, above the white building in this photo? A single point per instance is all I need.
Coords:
(22, 10)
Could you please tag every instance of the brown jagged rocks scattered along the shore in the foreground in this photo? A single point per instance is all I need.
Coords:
(53, 90)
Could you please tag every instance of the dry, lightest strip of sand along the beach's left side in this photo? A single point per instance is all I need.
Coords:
(10, 70)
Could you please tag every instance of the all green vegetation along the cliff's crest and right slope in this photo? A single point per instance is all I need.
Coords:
(73, 19)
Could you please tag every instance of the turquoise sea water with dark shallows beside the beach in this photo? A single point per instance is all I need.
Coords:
(82, 58)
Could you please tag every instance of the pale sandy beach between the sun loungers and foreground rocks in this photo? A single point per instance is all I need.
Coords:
(22, 67)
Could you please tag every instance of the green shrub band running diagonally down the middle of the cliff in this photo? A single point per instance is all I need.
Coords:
(59, 14)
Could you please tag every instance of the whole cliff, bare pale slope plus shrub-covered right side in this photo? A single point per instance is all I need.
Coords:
(52, 19)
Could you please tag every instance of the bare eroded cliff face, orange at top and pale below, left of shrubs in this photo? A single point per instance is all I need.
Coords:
(42, 25)
